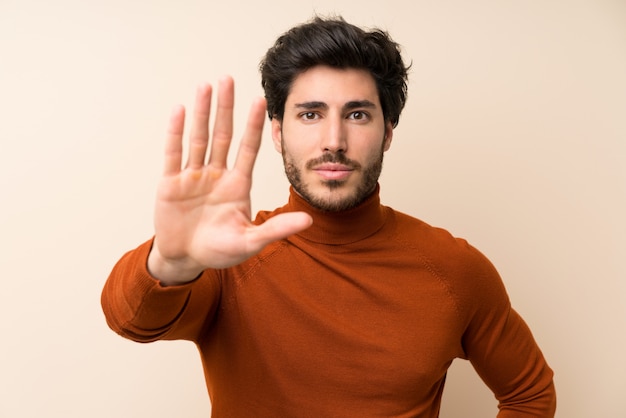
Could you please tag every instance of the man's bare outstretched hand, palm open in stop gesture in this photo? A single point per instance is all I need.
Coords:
(203, 211)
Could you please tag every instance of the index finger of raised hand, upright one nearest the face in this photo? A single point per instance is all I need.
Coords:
(251, 140)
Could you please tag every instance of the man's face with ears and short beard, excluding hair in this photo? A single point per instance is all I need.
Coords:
(333, 136)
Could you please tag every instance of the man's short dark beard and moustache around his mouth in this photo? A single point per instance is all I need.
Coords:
(371, 174)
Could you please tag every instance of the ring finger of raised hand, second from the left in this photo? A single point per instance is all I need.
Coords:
(199, 136)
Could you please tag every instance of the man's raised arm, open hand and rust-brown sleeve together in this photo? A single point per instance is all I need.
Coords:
(202, 223)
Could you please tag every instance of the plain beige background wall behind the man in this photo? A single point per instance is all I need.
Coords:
(514, 137)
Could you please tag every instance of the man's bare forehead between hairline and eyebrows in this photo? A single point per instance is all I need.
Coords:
(333, 86)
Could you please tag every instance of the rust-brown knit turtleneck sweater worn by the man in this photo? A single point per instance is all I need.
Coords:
(358, 316)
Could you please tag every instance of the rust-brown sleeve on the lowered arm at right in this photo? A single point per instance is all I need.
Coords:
(501, 347)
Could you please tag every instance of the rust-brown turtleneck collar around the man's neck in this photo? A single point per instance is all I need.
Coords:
(344, 227)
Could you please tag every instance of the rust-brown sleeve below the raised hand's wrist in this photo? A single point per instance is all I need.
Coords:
(139, 308)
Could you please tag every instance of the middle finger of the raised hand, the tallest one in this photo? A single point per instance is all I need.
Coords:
(223, 129)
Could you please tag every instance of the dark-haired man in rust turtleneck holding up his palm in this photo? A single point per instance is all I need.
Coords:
(332, 305)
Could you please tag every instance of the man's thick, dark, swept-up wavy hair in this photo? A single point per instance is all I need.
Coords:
(335, 43)
